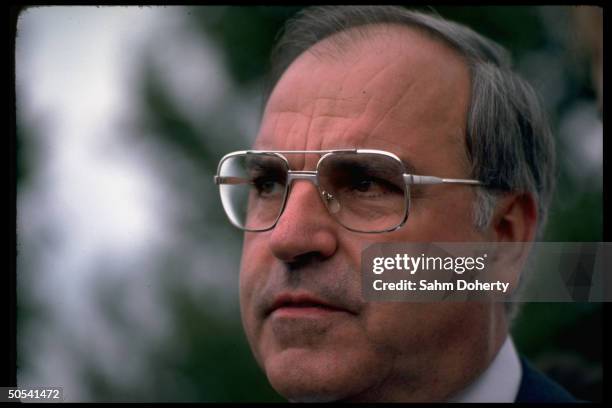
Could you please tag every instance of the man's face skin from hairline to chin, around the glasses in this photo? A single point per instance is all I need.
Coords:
(400, 92)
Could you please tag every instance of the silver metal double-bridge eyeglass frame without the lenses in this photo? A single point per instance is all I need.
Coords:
(312, 175)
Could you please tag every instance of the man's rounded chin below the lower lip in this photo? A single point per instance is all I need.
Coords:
(303, 376)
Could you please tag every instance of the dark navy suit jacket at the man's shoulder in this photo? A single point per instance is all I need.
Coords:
(536, 387)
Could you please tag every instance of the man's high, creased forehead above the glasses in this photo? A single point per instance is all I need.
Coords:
(391, 88)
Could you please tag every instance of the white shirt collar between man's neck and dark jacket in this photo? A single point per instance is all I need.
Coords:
(500, 381)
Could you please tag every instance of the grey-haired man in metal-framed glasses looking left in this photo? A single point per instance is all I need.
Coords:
(442, 101)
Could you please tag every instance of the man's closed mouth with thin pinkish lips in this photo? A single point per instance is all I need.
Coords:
(288, 305)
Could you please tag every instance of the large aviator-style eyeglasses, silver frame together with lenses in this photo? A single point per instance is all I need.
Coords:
(364, 190)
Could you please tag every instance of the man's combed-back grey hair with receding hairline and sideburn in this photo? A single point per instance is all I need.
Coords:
(508, 139)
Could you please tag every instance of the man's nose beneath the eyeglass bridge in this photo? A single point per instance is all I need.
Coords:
(305, 227)
